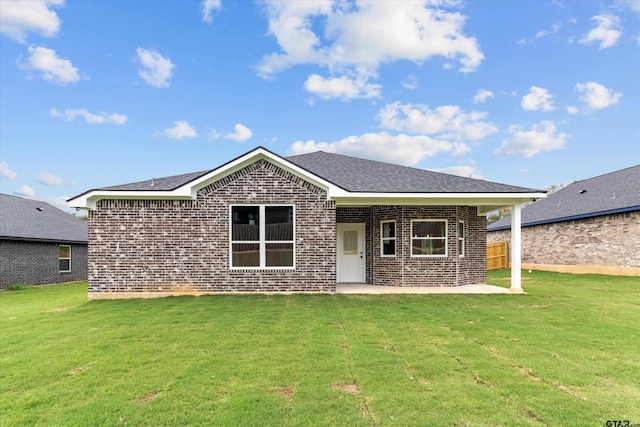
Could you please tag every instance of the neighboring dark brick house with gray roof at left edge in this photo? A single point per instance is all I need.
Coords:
(40, 244)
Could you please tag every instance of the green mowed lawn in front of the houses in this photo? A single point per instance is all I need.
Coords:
(568, 353)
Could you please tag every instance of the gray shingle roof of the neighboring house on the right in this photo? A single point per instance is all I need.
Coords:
(606, 194)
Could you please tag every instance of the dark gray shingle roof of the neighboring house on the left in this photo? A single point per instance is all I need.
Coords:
(25, 219)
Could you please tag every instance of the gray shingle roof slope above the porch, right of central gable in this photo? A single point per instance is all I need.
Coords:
(361, 175)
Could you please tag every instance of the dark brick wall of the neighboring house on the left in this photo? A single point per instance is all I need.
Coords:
(37, 263)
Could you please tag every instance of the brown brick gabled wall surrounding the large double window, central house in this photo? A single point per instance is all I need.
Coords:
(158, 247)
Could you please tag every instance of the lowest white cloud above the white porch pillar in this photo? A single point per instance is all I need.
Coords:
(527, 143)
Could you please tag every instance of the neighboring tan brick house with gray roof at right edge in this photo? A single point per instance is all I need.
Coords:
(590, 226)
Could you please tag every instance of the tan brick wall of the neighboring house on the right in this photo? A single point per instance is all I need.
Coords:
(609, 240)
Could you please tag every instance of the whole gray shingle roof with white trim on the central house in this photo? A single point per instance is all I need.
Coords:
(346, 180)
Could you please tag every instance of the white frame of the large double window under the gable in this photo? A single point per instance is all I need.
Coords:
(262, 243)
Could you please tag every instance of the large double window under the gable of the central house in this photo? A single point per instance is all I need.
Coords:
(262, 236)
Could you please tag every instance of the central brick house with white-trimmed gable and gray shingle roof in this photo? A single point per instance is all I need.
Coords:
(264, 223)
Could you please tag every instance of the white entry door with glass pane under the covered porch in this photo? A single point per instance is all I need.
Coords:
(351, 253)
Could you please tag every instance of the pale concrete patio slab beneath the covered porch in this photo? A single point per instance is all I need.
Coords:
(357, 288)
